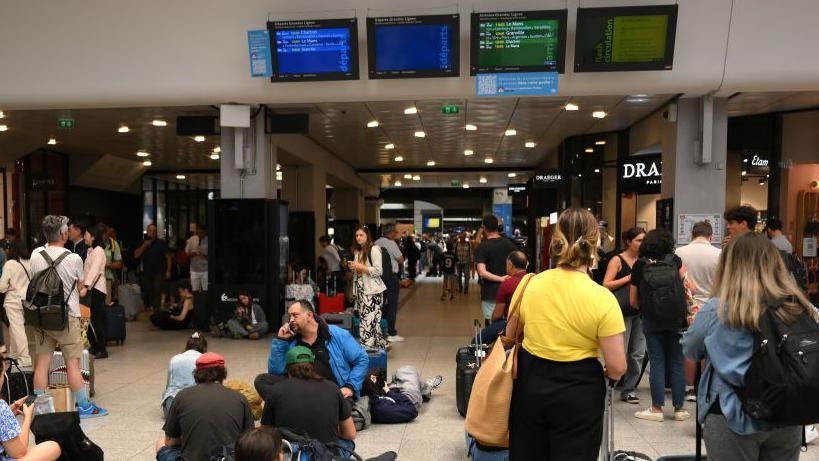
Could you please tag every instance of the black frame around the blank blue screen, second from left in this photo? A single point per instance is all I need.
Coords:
(453, 20)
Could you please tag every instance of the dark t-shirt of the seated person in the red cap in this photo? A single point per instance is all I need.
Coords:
(206, 416)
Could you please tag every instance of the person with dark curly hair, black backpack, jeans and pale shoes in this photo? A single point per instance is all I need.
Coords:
(662, 338)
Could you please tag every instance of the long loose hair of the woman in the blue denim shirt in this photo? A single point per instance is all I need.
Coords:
(751, 276)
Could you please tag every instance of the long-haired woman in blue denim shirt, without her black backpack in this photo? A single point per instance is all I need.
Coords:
(751, 278)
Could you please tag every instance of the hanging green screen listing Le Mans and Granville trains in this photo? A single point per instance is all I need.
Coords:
(522, 41)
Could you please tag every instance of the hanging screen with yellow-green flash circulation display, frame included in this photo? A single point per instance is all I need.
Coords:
(626, 38)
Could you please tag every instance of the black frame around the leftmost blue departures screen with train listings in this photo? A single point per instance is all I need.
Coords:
(349, 23)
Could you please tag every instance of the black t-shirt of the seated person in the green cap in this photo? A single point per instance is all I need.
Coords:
(303, 405)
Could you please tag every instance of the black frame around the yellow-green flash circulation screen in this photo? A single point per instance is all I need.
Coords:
(671, 34)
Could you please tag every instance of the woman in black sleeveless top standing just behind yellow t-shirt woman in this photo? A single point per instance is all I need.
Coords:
(617, 279)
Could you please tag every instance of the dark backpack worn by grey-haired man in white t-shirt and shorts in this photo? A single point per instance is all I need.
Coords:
(46, 306)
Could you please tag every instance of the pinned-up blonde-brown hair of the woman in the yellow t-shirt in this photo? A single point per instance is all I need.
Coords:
(575, 239)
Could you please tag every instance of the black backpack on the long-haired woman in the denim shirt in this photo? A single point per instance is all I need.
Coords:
(781, 385)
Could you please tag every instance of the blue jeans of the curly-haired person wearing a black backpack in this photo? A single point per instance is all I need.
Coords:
(665, 351)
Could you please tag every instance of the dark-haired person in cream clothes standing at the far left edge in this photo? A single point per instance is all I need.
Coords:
(14, 283)
